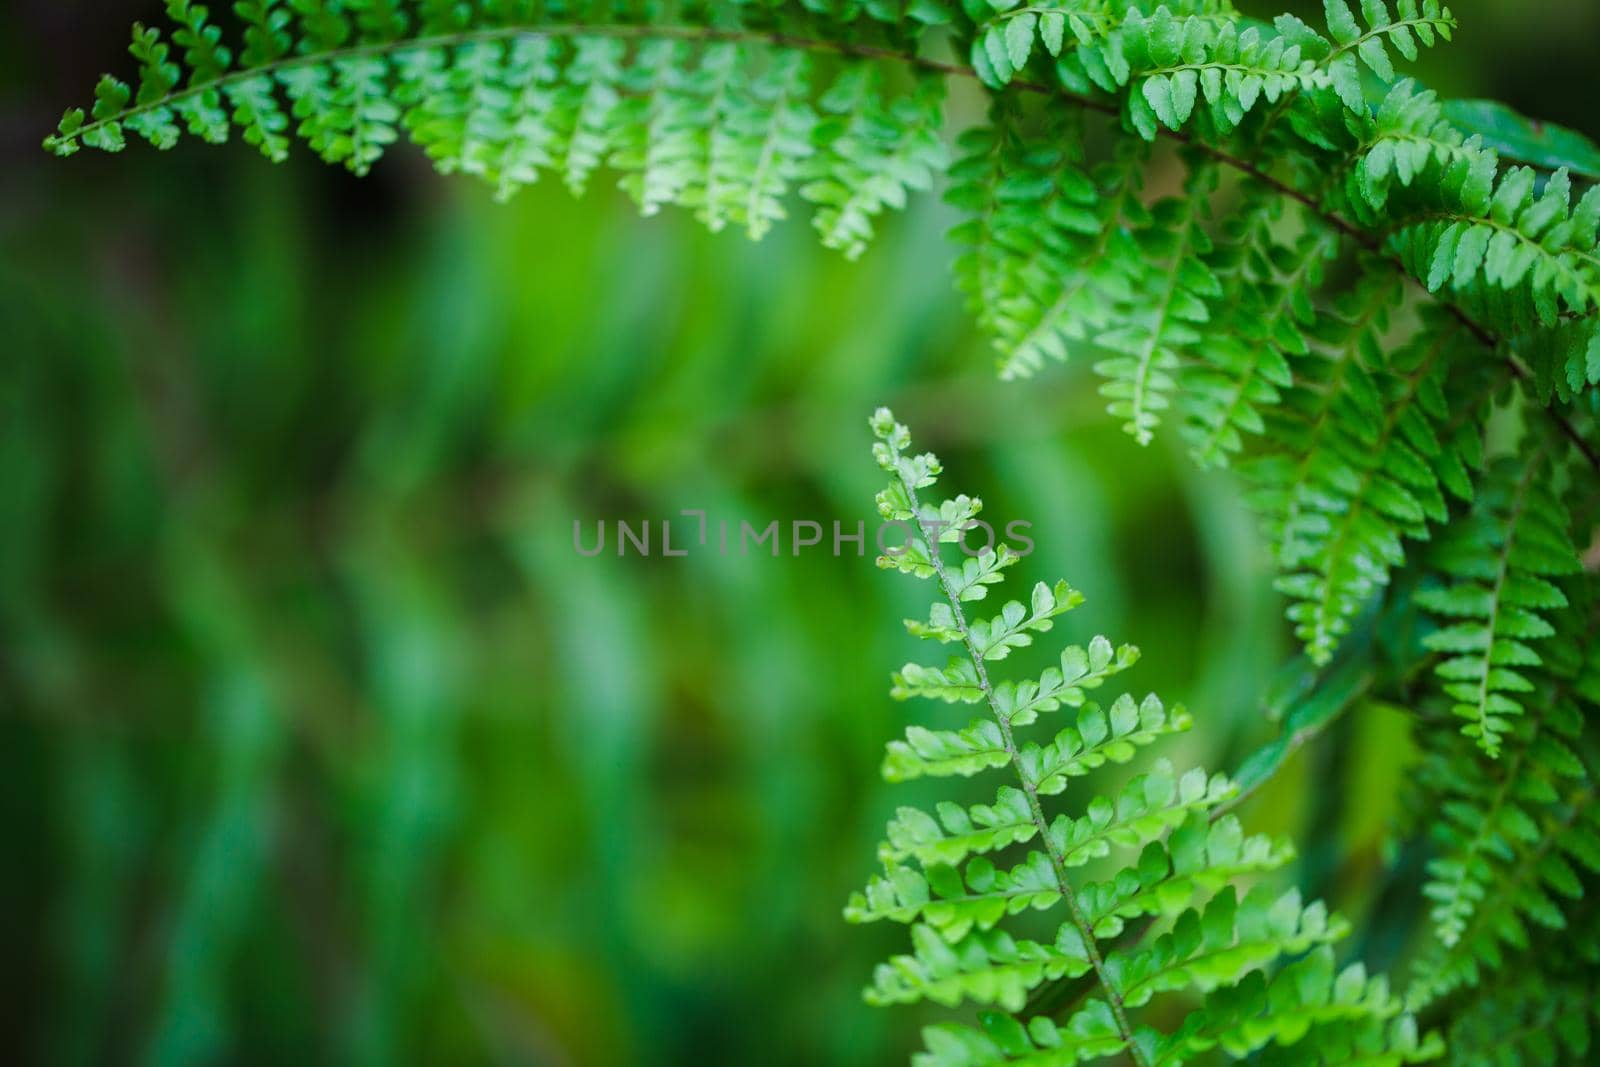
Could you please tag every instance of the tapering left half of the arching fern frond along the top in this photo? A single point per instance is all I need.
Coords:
(721, 119)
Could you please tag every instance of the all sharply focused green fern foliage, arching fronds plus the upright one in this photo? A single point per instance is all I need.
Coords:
(1266, 241)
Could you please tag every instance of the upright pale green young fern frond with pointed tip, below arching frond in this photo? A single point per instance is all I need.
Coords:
(1174, 863)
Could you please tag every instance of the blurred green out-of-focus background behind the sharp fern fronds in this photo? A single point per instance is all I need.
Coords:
(319, 740)
